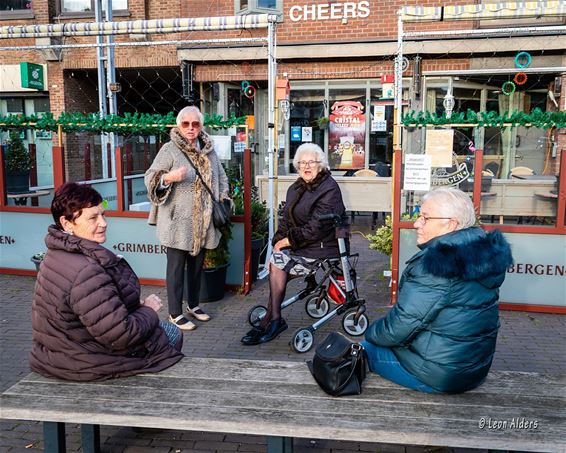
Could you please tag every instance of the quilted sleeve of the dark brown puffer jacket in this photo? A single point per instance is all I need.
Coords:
(97, 302)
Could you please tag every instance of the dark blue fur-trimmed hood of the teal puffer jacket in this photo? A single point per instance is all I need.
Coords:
(469, 254)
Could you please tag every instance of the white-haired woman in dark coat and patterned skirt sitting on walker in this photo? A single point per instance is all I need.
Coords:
(301, 237)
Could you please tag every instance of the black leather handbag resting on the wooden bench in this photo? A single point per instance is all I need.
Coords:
(339, 365)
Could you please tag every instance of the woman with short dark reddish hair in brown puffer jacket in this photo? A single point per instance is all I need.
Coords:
(87, 317)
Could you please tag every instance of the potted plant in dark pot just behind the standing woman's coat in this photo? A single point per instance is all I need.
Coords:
(216, 262)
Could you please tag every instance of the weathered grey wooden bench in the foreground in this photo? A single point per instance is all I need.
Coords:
(510, 411)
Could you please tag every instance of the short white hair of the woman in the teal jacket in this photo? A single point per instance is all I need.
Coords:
(453, 203)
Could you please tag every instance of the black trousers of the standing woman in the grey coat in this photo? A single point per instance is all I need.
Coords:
(177, 262)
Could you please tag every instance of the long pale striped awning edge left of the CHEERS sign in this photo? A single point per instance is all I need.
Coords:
(137, 26)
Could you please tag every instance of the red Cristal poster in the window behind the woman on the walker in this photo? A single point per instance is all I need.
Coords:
(346, 135)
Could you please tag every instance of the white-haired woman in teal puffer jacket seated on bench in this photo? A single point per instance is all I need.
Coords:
(441, 334)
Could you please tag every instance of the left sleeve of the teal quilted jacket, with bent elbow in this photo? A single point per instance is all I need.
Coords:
(422, 297)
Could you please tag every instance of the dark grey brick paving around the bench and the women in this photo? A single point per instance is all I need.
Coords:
(527, 342)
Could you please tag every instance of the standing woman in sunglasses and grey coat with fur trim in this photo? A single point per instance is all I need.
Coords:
(182, 209)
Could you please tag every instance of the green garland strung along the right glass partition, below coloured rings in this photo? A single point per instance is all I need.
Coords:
(537, 118)
